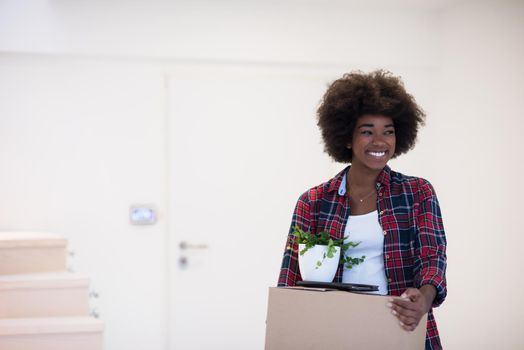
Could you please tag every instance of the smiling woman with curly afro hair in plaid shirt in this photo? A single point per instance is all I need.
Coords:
(367, 119)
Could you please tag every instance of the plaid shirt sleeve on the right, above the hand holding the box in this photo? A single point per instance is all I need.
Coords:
(430, 245)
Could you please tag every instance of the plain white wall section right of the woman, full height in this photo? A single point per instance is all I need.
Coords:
(480, 129)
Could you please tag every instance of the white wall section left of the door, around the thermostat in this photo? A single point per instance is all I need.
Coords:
(80, 141)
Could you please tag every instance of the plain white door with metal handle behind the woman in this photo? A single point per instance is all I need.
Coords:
(243, 146)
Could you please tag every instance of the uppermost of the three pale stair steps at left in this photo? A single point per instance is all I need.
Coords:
(30, 252)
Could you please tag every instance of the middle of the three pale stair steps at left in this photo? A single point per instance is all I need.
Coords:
(44, 295)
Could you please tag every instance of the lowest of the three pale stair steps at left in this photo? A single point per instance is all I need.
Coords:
(60, 333)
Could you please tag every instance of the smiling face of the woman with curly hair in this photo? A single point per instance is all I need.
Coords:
(373, 142)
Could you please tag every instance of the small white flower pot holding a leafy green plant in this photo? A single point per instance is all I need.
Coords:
(307, 263)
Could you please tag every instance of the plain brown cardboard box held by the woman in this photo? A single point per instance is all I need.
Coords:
(300, 318)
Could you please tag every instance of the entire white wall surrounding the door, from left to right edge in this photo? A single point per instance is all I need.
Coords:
(82, 113)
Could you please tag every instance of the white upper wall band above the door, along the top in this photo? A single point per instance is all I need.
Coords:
(259, 31)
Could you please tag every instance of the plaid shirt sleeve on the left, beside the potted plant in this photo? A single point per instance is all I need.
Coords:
(289, 272)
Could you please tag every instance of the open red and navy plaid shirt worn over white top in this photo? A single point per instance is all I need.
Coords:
(414, 239)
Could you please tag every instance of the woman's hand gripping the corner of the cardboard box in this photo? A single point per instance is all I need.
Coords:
(412, 305)
